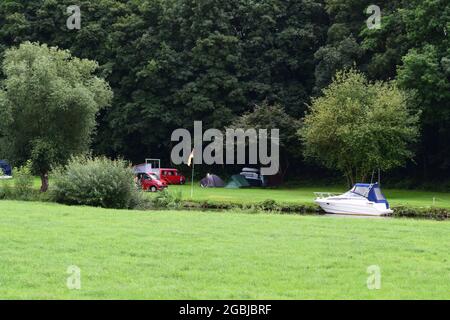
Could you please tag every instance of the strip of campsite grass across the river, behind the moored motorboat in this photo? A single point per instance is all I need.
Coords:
(305, 195)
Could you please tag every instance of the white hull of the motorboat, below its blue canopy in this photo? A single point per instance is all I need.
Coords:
(353, 207)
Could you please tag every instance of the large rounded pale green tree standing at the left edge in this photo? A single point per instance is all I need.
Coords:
(50, 100)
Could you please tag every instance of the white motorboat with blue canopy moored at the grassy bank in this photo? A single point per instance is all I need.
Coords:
(362, 199)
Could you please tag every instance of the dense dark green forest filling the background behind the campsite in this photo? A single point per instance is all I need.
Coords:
(170, 62)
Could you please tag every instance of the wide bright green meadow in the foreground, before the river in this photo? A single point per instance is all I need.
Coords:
(206, 255)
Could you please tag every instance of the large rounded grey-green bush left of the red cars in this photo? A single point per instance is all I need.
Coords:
(96, 182)
